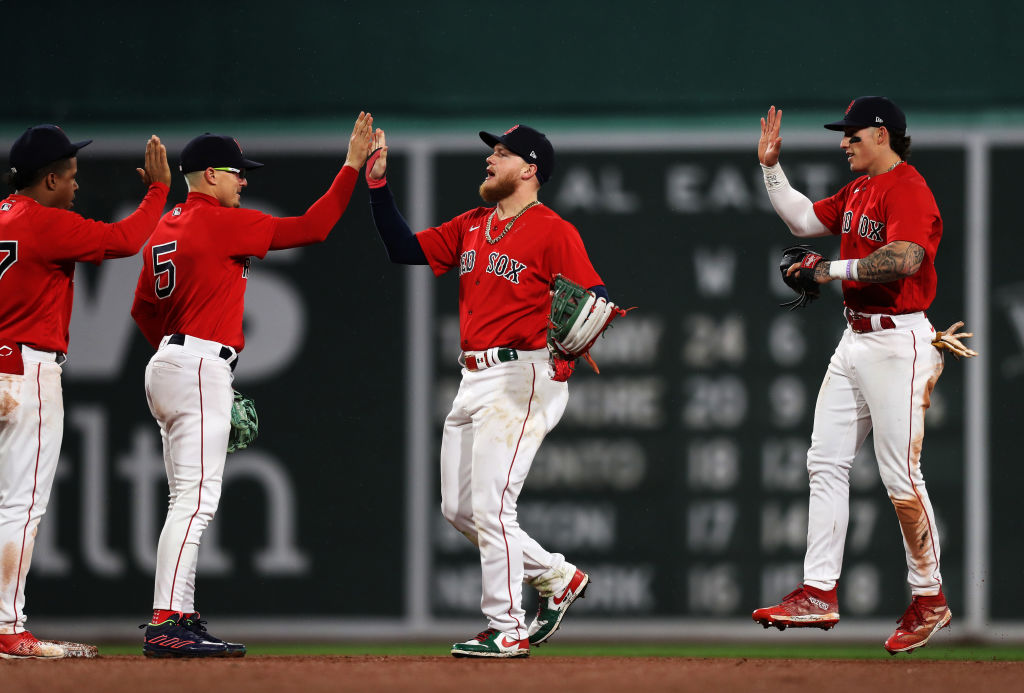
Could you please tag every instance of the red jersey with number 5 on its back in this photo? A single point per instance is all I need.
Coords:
(196, 266)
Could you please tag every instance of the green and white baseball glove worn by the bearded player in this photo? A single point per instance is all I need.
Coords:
(578, 319)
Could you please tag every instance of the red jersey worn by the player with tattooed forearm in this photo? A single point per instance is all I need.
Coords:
(874, 211)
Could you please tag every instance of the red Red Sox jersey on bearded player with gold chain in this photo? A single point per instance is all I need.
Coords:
(504, 288)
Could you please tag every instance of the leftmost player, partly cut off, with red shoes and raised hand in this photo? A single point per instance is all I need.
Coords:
(40, 242)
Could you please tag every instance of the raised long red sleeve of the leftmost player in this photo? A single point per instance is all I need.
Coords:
(84, 240)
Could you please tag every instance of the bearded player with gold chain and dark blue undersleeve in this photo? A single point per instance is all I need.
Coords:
(510, 397)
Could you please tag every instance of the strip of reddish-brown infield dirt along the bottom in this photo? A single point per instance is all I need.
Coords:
(567, 675)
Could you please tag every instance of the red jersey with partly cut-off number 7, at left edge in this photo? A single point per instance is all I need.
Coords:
(39, 247)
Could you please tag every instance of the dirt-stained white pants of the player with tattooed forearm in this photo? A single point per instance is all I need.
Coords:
(879, 380)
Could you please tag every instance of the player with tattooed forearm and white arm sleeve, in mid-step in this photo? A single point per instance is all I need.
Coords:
(884, 369)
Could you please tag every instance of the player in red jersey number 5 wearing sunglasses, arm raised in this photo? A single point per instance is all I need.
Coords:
(189, 305)
